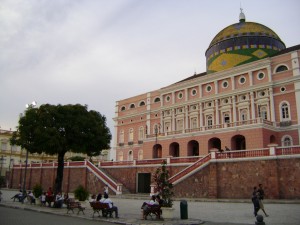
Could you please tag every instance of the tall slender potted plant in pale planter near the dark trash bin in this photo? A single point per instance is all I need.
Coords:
(164, 189)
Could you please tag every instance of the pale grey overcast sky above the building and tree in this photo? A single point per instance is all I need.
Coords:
(96, 52)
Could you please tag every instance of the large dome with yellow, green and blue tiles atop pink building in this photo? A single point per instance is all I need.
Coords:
(241, 43)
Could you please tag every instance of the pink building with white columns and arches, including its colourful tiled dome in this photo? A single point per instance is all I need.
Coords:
(252, 104)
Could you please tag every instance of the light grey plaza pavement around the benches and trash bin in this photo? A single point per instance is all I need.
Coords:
(200, 211)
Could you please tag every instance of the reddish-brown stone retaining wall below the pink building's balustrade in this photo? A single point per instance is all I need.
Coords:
(220, 179)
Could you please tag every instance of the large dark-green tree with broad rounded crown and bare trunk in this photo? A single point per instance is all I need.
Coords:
(57, 129)
